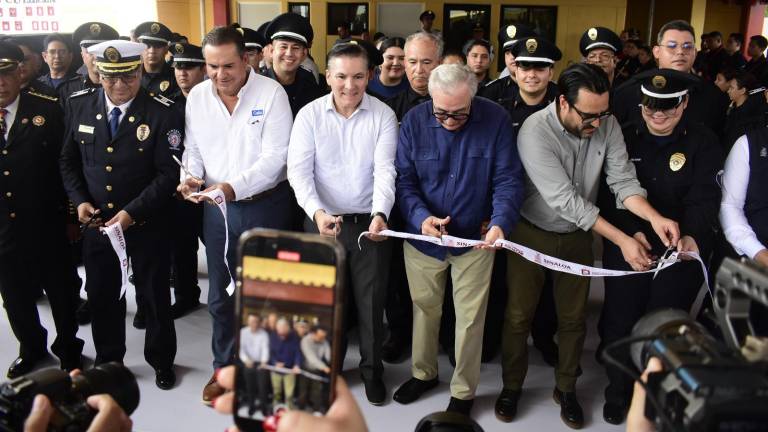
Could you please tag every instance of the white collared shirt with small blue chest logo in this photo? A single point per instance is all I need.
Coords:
(247, 148)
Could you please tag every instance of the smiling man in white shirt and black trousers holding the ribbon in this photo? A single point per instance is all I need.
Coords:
(341, 167)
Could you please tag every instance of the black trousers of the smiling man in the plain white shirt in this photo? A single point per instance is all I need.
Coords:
(367, 281)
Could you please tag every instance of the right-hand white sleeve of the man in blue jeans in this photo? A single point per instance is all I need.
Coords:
(274, 149)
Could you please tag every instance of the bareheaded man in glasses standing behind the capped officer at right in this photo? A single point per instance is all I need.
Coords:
(676, 49)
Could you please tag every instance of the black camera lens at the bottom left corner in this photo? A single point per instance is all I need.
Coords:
(113, 379)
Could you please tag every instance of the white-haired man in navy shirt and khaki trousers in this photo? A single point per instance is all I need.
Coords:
(457, 168)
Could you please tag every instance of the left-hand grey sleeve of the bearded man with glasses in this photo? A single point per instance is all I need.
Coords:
(545, 170)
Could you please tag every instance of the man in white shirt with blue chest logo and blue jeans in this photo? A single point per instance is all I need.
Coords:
(237, 140)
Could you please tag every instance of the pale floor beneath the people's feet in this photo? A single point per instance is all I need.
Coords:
(180, 409)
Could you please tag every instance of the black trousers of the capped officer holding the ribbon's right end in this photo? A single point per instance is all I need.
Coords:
(629, 298)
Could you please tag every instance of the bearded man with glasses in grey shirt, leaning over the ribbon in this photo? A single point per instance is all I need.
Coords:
(564, 148)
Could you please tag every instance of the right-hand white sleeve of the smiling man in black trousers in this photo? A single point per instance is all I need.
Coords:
(384, 164)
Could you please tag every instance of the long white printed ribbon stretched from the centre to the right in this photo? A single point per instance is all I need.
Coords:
(541, 259)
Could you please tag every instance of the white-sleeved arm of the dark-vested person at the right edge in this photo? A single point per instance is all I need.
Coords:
(735, 181)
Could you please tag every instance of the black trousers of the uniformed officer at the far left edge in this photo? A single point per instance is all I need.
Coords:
(47, 257)
